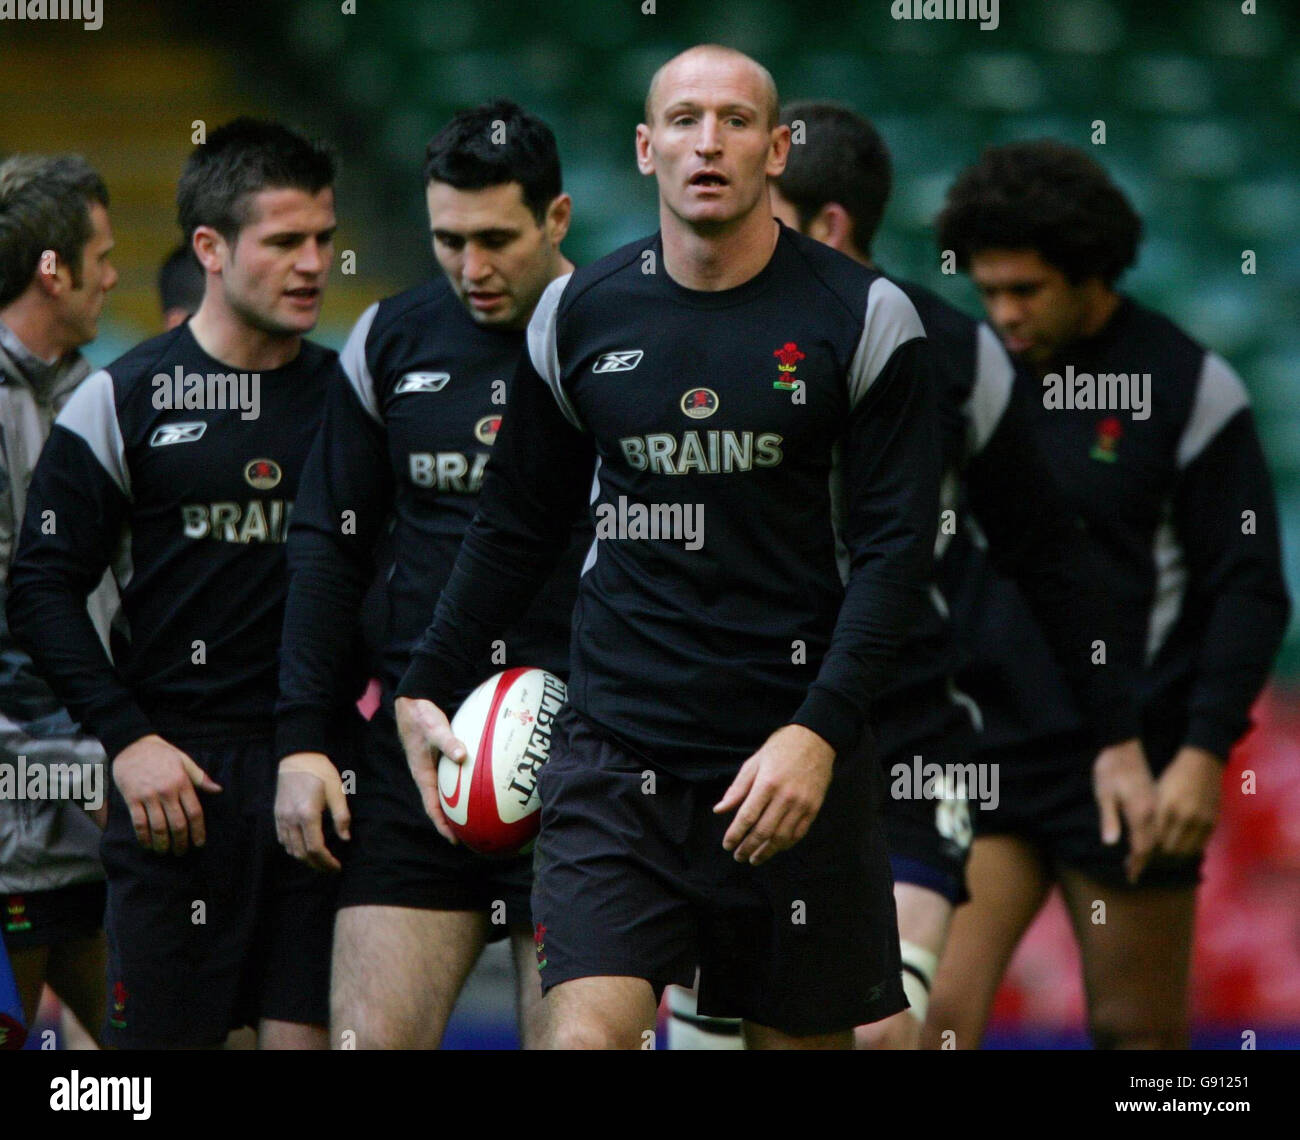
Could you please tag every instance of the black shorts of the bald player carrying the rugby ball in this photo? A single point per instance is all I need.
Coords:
(638, 885)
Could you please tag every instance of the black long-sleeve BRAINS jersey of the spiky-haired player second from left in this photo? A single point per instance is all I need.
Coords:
(180, 474)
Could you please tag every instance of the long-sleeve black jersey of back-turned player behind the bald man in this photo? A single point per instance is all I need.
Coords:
(995, 470)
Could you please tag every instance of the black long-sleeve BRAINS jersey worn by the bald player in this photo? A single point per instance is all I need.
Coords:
(762, 469)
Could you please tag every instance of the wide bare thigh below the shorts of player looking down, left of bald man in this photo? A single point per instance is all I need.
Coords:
(398, 972)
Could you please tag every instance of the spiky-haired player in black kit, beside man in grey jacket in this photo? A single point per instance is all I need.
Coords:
(177, 466)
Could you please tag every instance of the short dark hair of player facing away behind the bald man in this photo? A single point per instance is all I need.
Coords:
(842, 159)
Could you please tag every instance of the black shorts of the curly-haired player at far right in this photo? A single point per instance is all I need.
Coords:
(1047, 799)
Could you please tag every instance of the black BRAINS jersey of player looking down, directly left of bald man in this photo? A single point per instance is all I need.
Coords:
(414, 409)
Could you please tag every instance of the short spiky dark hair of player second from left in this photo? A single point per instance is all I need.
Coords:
(239, 161)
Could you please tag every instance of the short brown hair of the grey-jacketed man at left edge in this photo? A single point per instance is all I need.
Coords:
(45, 205)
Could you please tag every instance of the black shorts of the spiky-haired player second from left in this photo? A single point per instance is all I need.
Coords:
(224, 935)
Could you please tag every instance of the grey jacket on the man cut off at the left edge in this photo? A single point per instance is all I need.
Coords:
(45, 842)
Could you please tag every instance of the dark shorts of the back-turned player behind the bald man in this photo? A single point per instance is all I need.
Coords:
(931, 801)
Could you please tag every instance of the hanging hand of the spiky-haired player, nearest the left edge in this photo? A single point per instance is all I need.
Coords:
(158, 783)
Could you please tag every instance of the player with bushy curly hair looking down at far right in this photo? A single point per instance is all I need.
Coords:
(1155, 448)
